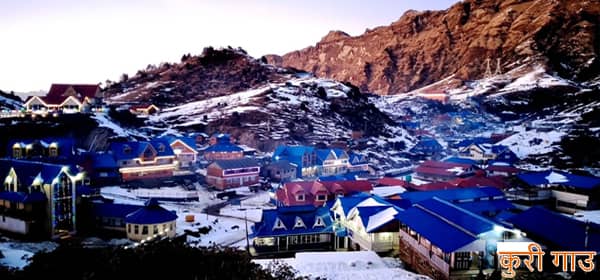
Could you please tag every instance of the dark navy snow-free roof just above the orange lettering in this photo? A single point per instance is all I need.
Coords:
(550, 227)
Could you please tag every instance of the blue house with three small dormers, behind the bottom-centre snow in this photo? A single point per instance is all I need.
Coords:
(293, 229)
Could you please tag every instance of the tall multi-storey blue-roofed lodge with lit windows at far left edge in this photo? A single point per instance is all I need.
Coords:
(38, 199)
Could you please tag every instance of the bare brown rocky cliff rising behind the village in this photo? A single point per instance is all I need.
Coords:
(424, 47)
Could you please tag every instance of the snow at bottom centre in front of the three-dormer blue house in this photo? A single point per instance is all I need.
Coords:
(345, 266)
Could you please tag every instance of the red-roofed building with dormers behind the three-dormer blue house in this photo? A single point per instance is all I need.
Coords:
(317, 193)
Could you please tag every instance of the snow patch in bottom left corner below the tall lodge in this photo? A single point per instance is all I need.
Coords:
(18, 254)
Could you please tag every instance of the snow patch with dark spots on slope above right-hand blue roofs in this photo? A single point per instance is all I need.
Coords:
(532, 142)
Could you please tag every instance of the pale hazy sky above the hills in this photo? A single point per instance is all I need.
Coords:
(89, 41)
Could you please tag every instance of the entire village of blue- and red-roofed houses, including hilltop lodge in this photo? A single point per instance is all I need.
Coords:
(443, 219)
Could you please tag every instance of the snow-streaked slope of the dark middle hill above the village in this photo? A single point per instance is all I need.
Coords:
(305, 109)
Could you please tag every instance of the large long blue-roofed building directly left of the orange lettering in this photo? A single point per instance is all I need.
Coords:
(448, 238)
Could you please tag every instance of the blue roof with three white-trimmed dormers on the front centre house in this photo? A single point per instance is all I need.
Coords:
(288, 215)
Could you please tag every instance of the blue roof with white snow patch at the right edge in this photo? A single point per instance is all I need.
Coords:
(553, 177)
